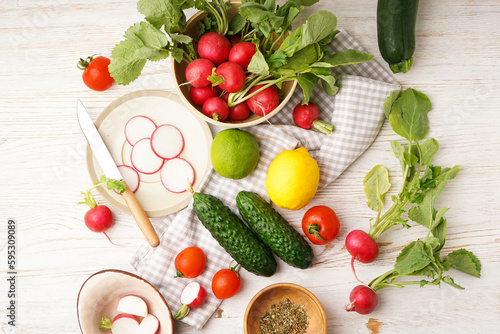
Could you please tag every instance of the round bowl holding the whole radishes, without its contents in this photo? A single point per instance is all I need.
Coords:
(179, 69)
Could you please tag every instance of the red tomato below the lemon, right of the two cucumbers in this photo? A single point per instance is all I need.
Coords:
(320, 224)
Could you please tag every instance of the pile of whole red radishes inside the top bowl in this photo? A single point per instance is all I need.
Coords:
(221, 71)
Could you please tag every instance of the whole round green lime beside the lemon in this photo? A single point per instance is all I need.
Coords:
(234, 153)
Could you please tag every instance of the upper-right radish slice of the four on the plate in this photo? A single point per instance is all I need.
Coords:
(167, 141)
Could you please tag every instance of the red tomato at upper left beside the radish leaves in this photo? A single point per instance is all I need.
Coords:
(95, 73)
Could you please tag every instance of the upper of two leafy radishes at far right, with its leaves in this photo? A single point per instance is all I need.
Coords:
(422, 181)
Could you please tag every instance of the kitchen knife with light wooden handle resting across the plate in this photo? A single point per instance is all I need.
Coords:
(109, 168)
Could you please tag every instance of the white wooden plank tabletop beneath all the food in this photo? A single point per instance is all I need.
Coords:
(43, 169)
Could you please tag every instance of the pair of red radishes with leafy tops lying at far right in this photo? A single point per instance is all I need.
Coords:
(421, 186)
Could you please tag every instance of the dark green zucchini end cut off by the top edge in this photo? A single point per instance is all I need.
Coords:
(396, 21)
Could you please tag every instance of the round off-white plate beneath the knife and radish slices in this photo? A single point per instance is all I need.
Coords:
(163, 108)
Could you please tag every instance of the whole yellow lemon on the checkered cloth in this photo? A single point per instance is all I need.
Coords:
(292, 179)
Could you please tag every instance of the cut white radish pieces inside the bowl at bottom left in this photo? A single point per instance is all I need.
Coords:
(132, 318)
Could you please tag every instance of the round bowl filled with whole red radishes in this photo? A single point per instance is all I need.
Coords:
(219, 87)
